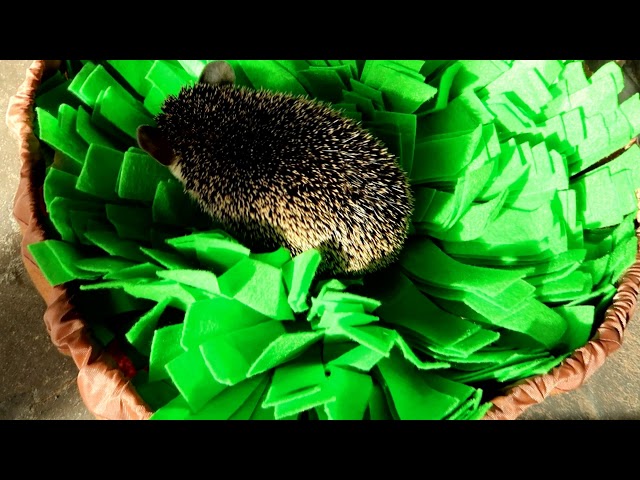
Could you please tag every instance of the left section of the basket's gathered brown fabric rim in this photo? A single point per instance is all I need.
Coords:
(102, 386)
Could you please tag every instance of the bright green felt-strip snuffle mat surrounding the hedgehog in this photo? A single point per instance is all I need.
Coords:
(519, 235)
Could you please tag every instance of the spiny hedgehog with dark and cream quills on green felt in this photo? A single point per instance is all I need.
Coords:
(283, 170)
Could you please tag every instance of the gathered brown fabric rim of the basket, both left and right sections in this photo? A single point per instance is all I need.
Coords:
(104, 388)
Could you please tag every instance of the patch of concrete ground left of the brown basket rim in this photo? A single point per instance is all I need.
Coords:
(38, 382)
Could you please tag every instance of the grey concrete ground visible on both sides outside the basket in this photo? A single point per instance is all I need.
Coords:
(37, 382)
